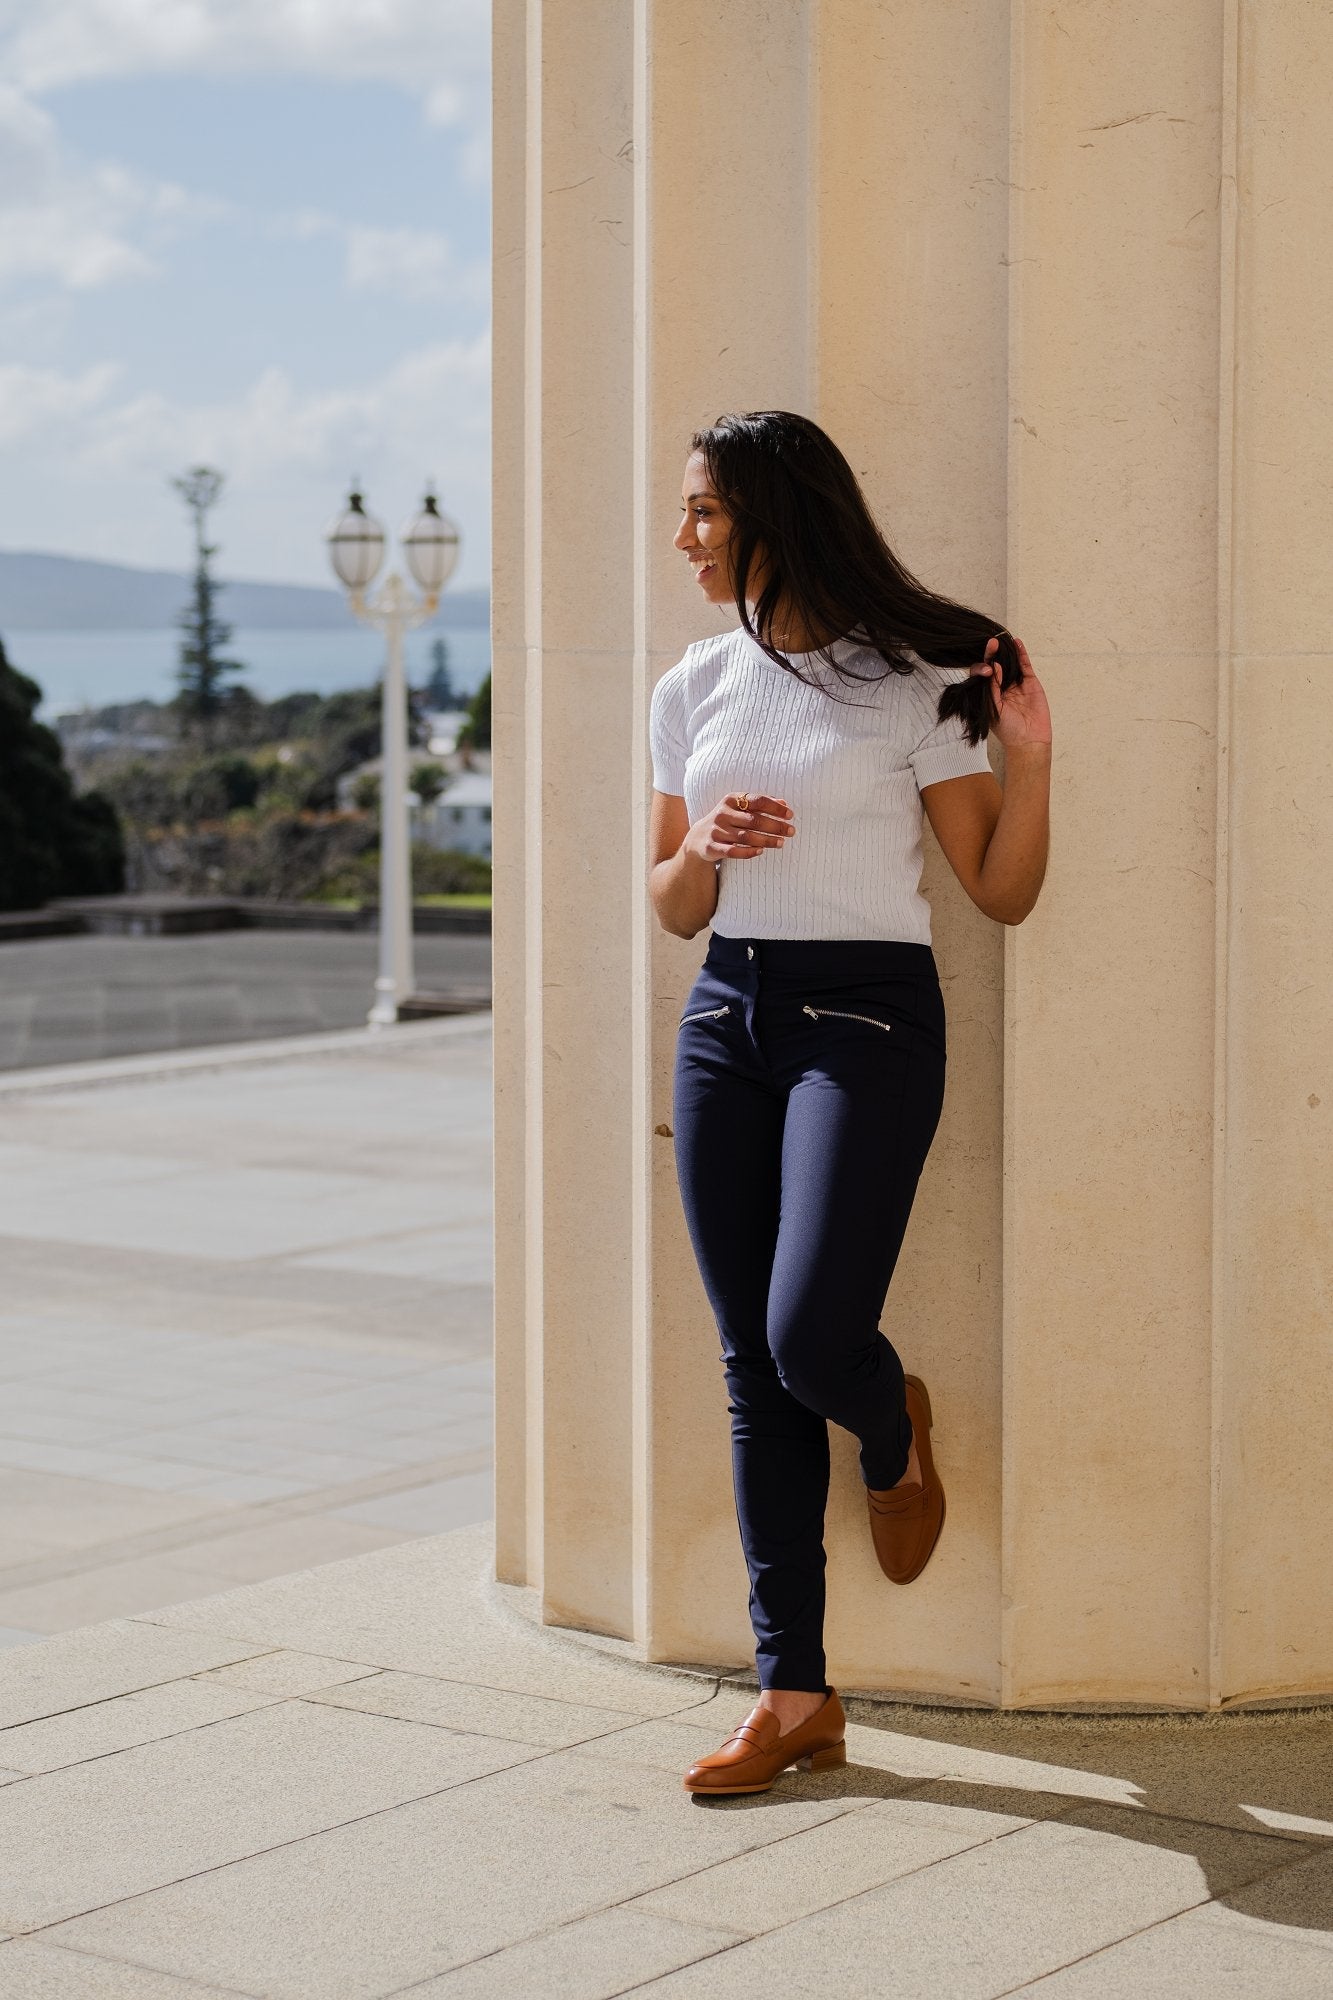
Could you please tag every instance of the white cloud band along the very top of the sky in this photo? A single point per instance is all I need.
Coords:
(439, 51)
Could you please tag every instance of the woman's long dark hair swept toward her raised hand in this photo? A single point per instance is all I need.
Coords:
(798, 507)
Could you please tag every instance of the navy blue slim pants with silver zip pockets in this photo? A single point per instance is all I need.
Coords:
(808, 1091)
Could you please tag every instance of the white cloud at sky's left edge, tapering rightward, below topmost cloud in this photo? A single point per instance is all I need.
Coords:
(77, 225)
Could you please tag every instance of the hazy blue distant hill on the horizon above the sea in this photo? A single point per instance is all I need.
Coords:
(71, 595)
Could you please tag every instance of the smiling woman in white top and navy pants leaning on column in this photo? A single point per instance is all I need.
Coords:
(792, 765)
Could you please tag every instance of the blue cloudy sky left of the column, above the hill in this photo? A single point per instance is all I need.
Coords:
(245, 233)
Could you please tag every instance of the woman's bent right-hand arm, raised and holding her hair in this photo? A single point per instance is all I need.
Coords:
(998, 841)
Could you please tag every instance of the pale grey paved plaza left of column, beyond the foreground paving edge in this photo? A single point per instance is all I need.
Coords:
(179, 1375)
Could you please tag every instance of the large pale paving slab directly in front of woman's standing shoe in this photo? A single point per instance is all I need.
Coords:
(455, 1877)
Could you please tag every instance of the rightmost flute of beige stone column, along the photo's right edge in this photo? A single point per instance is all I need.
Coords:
(1272, 1611)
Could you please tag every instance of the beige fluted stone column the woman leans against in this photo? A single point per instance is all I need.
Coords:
(1058, 279)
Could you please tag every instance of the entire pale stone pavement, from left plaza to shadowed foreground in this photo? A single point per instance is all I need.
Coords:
(289, 1743)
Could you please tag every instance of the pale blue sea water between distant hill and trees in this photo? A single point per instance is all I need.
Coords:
(95, 669)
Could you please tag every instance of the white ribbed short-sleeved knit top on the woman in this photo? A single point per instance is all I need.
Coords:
(728, 719)
